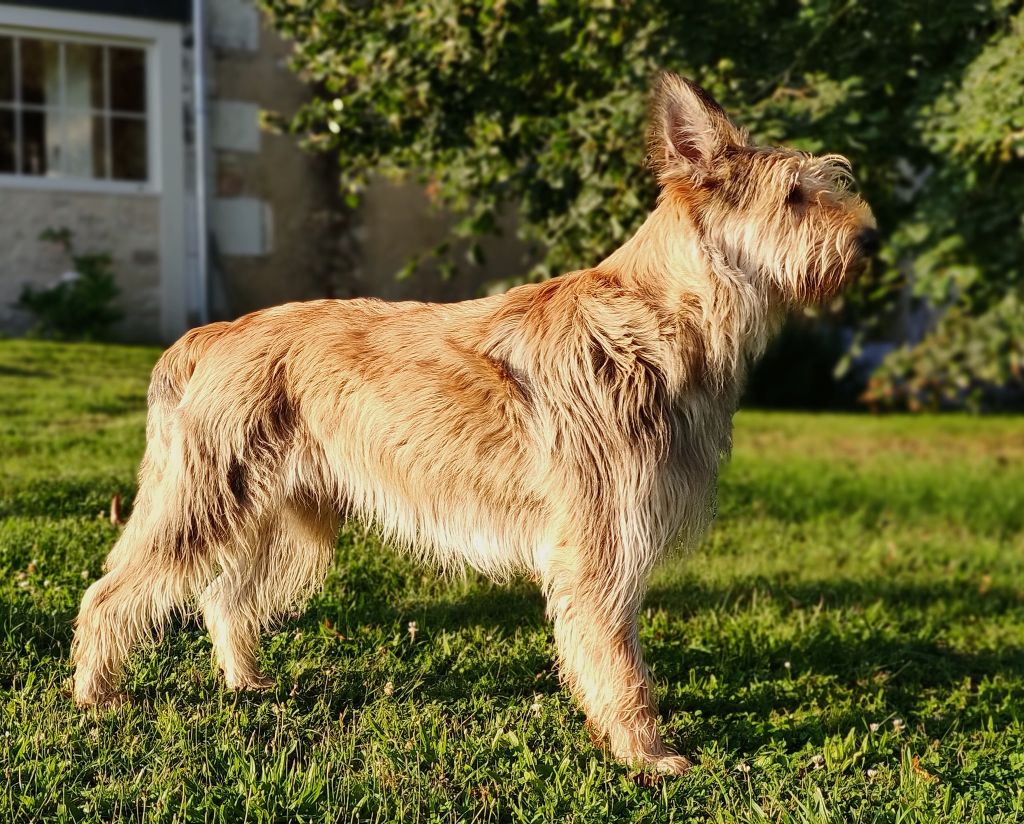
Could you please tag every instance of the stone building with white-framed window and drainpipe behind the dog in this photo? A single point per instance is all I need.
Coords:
(102, 133)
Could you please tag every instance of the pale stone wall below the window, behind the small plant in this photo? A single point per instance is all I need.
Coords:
(125, 226)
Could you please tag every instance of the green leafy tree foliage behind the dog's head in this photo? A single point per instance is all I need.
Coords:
(540, 107)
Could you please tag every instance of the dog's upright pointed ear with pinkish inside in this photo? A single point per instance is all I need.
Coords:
(689, 131)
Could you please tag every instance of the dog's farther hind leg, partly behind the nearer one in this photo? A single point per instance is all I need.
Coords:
(289, 558)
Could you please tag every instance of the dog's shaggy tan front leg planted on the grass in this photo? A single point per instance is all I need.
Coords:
(601, 660)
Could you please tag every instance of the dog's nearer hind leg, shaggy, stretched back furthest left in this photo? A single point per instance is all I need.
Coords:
(194, 501)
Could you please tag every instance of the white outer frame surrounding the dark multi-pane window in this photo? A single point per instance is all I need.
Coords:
(108, 31)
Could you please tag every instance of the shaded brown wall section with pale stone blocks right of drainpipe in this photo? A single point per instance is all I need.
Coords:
(274, 213)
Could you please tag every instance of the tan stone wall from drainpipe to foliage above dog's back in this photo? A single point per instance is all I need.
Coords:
(280, 230)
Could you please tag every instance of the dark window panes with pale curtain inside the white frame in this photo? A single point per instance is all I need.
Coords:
(72, 109)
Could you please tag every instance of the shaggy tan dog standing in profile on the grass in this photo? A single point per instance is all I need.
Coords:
(570, 430)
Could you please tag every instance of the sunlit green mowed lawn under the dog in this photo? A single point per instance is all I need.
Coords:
(846, 645)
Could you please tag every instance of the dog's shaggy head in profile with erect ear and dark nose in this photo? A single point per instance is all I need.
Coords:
(787, 218)
